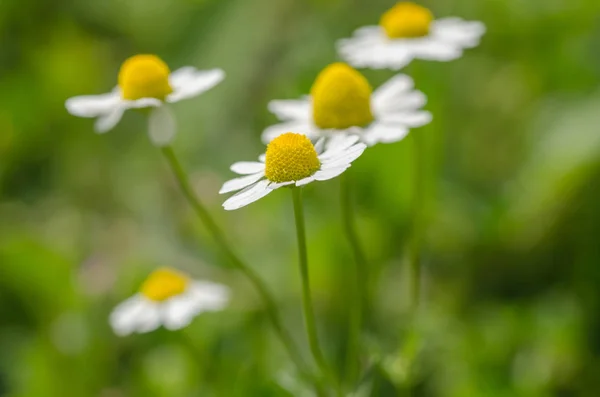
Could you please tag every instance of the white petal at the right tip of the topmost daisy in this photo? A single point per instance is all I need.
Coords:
(466, 34)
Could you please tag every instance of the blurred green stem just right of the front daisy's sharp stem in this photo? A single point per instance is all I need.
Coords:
(361, 292)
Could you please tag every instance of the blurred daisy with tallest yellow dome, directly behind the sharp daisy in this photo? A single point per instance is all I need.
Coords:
(342, 101)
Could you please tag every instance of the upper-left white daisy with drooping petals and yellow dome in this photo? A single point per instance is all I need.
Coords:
(145, 81)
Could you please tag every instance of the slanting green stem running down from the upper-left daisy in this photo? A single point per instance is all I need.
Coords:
(222, 242)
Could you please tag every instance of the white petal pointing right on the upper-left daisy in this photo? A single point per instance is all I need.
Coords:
(187, 84)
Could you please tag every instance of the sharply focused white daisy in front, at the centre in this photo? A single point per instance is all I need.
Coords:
(290, 160)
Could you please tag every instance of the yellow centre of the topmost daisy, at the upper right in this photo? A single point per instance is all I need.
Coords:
(406, 20)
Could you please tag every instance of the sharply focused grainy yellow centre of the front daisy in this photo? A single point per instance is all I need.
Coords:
(290, 157)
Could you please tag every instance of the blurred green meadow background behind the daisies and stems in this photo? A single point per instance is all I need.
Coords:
(511, 296)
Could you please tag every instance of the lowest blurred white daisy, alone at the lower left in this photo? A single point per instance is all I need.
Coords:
(167, 298)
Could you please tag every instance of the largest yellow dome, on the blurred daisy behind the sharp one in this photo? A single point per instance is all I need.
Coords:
(341, 98)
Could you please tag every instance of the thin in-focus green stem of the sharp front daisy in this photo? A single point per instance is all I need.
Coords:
(307, 306)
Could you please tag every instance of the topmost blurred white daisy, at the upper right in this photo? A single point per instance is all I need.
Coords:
(406, 32)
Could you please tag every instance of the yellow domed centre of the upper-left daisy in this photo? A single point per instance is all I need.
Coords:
(144, 76)
